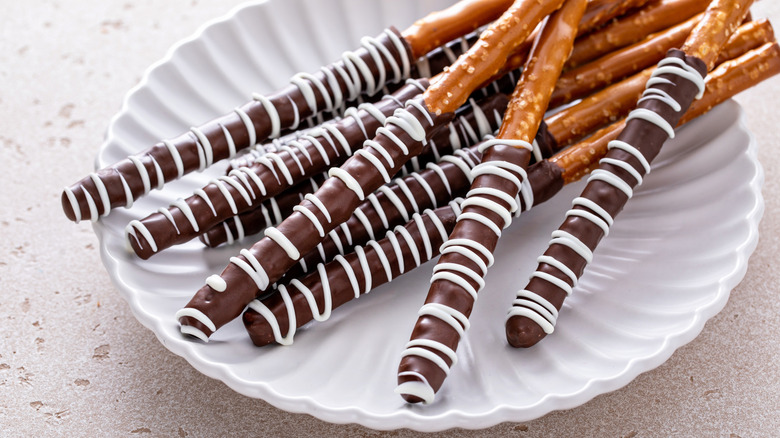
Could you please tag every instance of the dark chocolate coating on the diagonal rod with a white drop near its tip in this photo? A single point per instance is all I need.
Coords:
(298, 229)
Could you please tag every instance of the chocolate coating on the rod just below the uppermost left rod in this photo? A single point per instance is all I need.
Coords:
(293, 167)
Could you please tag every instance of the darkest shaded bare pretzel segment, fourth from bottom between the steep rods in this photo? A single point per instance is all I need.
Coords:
(654, 17)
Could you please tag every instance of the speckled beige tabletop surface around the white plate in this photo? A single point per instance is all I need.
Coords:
(74, 361)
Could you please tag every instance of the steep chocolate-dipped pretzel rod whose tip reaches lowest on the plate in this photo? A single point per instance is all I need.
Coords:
(458, 275)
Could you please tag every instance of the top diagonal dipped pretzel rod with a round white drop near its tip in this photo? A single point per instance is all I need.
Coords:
(225, 295)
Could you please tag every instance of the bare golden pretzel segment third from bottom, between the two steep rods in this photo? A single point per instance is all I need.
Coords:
(577, 82)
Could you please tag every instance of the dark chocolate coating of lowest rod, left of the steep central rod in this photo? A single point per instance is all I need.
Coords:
(338, 280)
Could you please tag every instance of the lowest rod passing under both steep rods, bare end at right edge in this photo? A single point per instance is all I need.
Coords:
(334, 284)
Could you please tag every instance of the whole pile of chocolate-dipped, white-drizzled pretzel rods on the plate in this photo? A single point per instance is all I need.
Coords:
(428, 143)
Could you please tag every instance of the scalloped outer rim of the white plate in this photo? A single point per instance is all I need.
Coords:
(408, 418)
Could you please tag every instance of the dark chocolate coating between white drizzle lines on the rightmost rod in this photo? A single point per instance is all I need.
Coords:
(648, 139)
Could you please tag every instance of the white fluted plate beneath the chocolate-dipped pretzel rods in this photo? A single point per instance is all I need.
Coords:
(667, 266)
